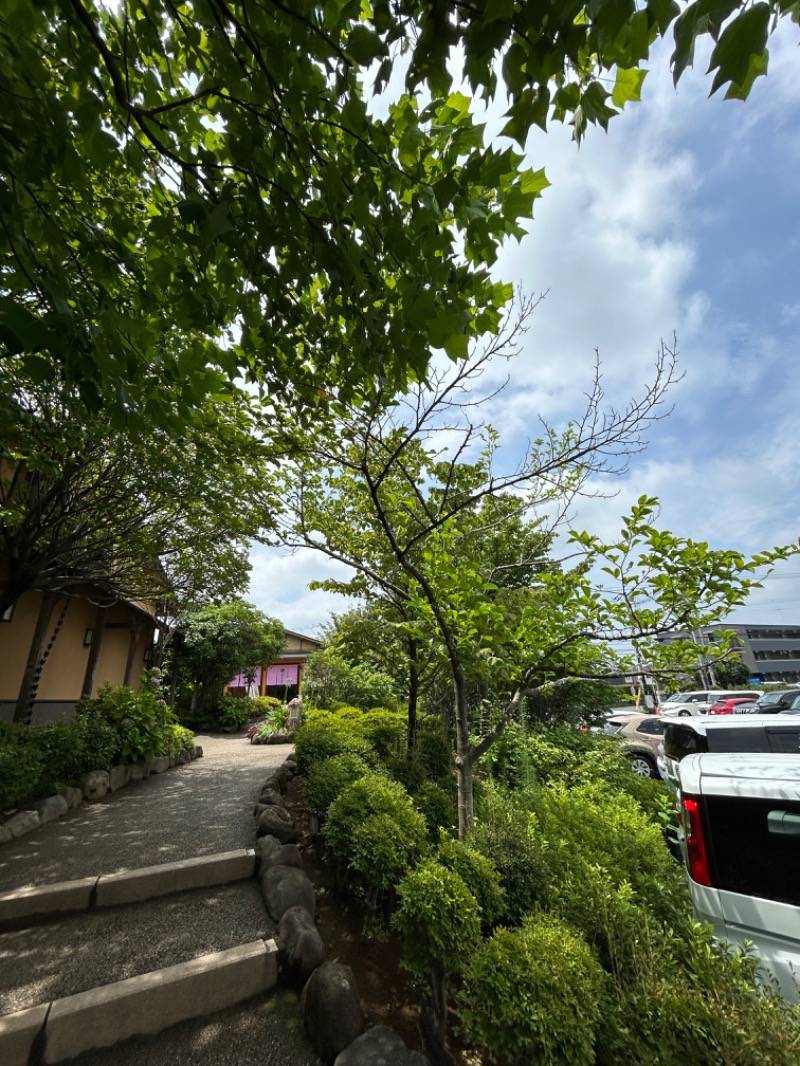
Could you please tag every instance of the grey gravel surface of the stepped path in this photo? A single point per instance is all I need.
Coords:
(203, 809)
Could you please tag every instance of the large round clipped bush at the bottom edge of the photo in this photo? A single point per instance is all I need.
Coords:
(534, 995)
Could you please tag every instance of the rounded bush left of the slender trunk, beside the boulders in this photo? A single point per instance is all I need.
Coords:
(374, 832)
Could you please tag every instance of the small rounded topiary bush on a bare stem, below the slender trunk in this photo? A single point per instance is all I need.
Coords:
(438, 918)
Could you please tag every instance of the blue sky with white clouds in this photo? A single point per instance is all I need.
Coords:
(684, 219)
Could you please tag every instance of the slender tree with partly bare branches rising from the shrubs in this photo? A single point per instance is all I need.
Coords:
(389, 481)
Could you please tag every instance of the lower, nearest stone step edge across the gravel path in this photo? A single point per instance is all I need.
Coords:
(138, 1007)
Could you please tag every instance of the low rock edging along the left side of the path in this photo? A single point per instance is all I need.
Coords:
(93, 786)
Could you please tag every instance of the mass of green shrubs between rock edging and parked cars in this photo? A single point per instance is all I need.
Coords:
(561, 931)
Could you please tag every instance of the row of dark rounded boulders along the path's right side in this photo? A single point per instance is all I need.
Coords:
(330, 999)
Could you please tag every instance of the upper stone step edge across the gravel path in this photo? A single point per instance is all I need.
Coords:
(26, 906)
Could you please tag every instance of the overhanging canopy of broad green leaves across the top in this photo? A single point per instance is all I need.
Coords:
(197, 191)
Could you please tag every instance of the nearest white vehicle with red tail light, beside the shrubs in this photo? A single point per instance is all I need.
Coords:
(742, 826)
